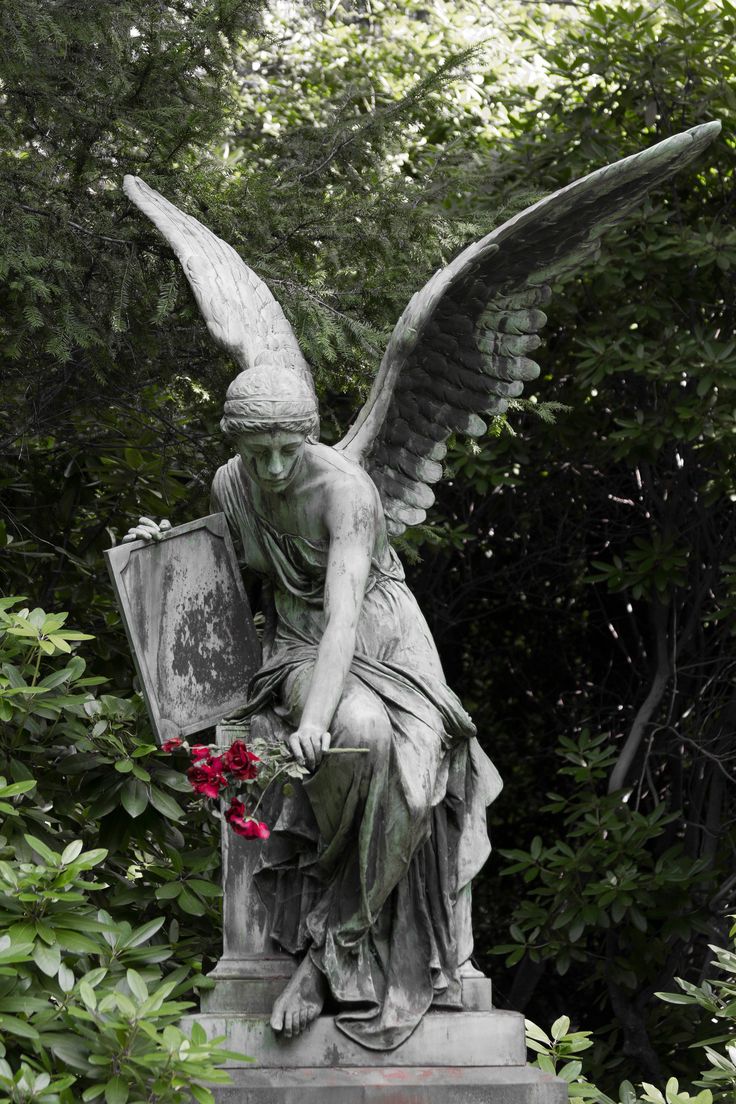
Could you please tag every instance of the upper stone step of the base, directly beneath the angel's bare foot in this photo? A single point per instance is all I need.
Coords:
(457, 1039)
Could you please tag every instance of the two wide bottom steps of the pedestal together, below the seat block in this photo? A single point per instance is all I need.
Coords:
(453, 1058)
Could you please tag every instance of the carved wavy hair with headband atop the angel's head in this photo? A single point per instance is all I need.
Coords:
(269, 400)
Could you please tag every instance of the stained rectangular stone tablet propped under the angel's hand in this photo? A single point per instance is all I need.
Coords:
(189, 624)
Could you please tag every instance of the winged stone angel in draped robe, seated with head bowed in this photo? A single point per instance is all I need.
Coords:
(368, 874)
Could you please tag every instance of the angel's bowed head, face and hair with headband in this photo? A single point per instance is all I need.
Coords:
(270, 413)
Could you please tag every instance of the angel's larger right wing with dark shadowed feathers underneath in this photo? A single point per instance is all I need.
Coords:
(460, 349)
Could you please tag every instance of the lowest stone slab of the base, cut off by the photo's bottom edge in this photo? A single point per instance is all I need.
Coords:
(393, 1086)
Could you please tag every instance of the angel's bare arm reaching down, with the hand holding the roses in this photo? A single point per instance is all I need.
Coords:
(353, 522)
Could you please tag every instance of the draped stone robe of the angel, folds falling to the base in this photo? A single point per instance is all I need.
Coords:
(370, 863)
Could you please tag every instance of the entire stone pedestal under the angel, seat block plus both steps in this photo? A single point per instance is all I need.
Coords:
(471, 1057)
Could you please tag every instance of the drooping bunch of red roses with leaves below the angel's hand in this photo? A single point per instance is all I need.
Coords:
(241, 774)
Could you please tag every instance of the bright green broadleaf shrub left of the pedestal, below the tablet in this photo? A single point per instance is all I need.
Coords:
(92, 988)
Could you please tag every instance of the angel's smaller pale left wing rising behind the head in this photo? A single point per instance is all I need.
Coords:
(241, 313)
